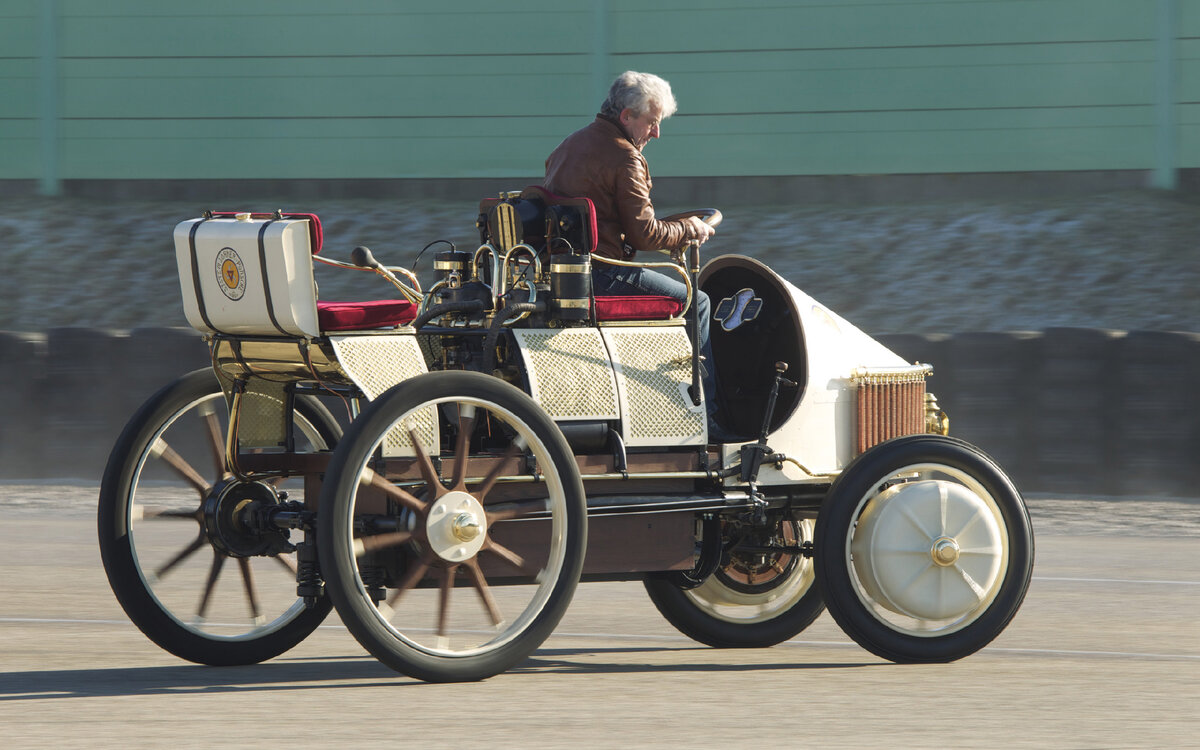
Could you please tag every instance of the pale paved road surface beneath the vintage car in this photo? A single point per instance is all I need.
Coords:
(1106, 653)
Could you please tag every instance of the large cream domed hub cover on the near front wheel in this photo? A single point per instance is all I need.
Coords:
(932, 550)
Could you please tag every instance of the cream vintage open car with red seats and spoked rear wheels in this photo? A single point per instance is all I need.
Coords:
(508, 434)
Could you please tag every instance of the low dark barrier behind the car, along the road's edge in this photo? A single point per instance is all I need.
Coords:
(1065, 411)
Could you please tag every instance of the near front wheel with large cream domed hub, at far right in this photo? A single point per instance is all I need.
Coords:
(925, 550)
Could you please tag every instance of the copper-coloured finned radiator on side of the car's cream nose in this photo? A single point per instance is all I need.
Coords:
(891, 404)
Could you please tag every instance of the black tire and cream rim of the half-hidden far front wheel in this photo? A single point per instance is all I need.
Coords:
(695, 614)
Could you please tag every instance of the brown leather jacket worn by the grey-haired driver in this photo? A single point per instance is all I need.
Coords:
(601, 163)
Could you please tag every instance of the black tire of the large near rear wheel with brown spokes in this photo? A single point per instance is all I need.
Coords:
(409, 651)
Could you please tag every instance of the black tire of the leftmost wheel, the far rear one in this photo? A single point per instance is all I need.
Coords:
(134, 583)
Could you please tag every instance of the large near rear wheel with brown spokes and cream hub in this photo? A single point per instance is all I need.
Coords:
(453, 481)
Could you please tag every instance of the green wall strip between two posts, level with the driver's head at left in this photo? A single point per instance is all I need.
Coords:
(482, 87)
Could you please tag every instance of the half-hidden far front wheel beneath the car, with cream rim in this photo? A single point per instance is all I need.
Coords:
(763, 593)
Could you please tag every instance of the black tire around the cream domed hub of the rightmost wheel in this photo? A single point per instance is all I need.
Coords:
(850, 604)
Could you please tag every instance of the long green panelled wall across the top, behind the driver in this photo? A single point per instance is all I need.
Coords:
(232, 89)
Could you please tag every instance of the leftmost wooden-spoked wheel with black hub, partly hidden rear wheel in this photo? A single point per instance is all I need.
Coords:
(185, 571)
